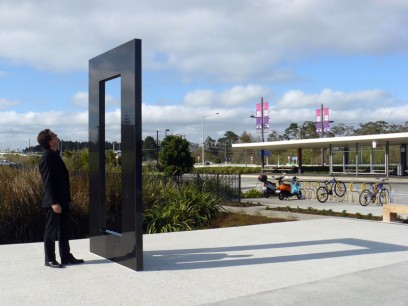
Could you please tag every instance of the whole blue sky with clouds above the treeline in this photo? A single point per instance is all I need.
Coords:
(200, 58)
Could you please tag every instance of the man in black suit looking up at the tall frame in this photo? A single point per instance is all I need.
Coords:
(55, 201)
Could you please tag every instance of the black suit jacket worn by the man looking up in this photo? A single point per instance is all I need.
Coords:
(55, 179)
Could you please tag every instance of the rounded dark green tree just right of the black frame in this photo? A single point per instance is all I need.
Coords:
(175, 156)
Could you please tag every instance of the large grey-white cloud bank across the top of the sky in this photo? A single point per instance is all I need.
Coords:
(202, 39)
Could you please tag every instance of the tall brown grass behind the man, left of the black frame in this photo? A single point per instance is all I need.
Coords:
(21, 215)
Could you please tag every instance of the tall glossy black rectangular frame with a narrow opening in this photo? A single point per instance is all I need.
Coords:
(125, 248)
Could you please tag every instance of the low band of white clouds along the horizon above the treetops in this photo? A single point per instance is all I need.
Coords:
(188, 119)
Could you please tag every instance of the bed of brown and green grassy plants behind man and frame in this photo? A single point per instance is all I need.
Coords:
(168, 205)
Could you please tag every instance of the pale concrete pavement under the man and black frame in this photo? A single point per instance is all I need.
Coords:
(321, 261)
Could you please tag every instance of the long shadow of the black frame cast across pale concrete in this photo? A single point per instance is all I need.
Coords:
(185, 259)
